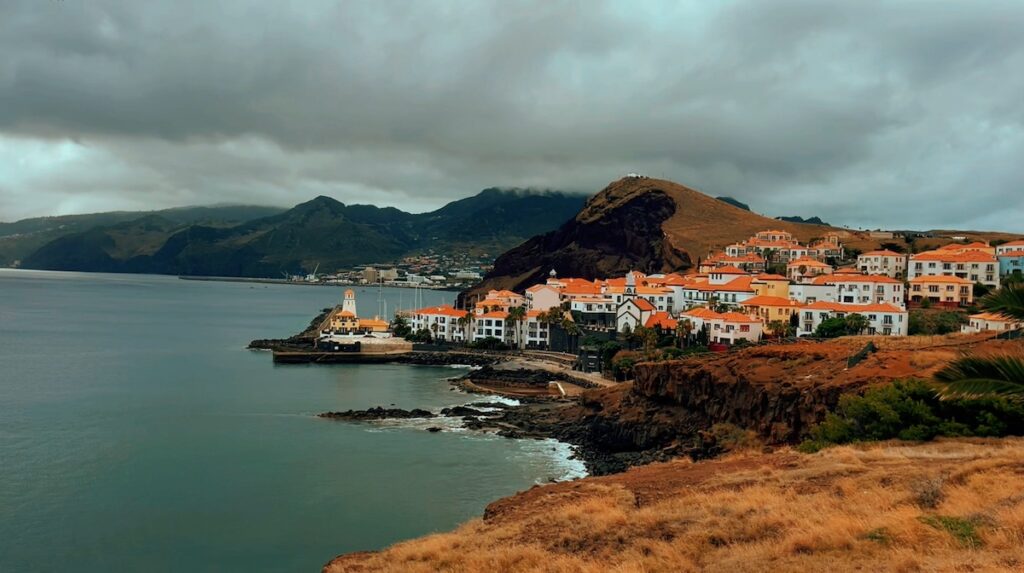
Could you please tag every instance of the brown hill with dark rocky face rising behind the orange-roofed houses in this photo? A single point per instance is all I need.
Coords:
(641, 224)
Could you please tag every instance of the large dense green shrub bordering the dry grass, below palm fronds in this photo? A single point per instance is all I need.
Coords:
(912, 411)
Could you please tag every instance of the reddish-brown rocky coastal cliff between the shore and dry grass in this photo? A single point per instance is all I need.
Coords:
(773, 393)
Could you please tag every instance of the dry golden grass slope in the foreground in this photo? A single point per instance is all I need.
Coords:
(950, 506)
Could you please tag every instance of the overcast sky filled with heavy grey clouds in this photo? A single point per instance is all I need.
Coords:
(867, 114)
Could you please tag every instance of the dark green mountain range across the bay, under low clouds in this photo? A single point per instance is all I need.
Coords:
(247, 242)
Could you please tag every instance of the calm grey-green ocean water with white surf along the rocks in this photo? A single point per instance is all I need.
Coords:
(137, 433)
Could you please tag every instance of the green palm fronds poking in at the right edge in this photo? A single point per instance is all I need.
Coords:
(990, 376)
